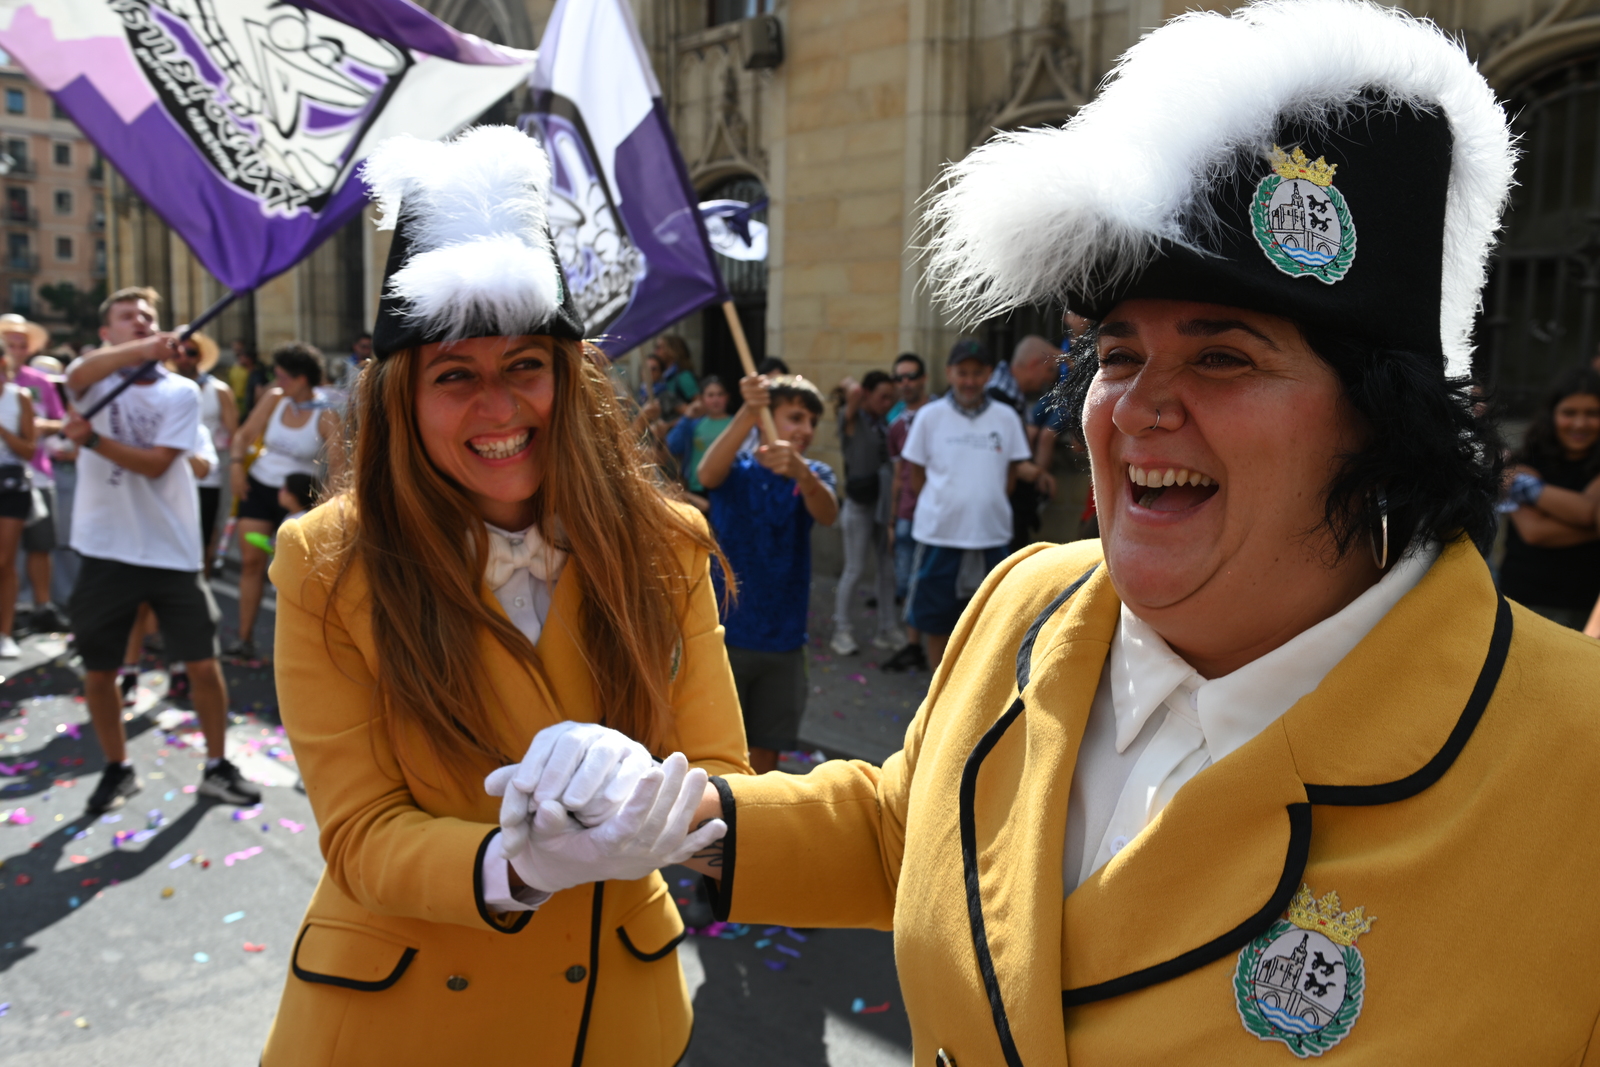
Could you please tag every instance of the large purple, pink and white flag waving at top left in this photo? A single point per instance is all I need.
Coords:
(242, 122)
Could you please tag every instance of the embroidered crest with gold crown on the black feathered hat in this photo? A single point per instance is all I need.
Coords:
(1300, 218)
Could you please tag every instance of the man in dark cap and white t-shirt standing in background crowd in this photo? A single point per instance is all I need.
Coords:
(964, 454)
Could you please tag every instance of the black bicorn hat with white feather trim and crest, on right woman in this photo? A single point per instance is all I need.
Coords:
(1332, 162)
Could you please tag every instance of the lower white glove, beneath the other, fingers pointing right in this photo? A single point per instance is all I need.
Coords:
(649, 833)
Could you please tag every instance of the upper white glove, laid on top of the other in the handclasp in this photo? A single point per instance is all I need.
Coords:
(588, 769)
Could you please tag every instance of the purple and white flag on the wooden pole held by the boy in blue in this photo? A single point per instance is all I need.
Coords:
(623, 214)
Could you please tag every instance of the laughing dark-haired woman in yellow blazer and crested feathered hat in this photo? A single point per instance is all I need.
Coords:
(1271, 772)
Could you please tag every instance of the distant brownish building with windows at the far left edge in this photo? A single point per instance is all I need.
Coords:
(55, 202)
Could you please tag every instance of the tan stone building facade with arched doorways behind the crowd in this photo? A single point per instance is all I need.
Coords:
(849, 132)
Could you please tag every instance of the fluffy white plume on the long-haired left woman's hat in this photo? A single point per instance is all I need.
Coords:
(476, 215)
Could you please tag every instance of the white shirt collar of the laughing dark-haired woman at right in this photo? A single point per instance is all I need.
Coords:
(1233, 709)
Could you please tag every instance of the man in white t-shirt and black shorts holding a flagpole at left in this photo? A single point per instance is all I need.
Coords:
(137, 526)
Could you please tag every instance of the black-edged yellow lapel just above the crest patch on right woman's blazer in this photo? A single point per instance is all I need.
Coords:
(1228, 853)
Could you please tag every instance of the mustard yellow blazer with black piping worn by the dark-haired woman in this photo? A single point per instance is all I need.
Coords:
(1444, 778)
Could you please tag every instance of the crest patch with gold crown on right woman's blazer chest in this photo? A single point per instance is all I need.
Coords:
(1302, 981)
